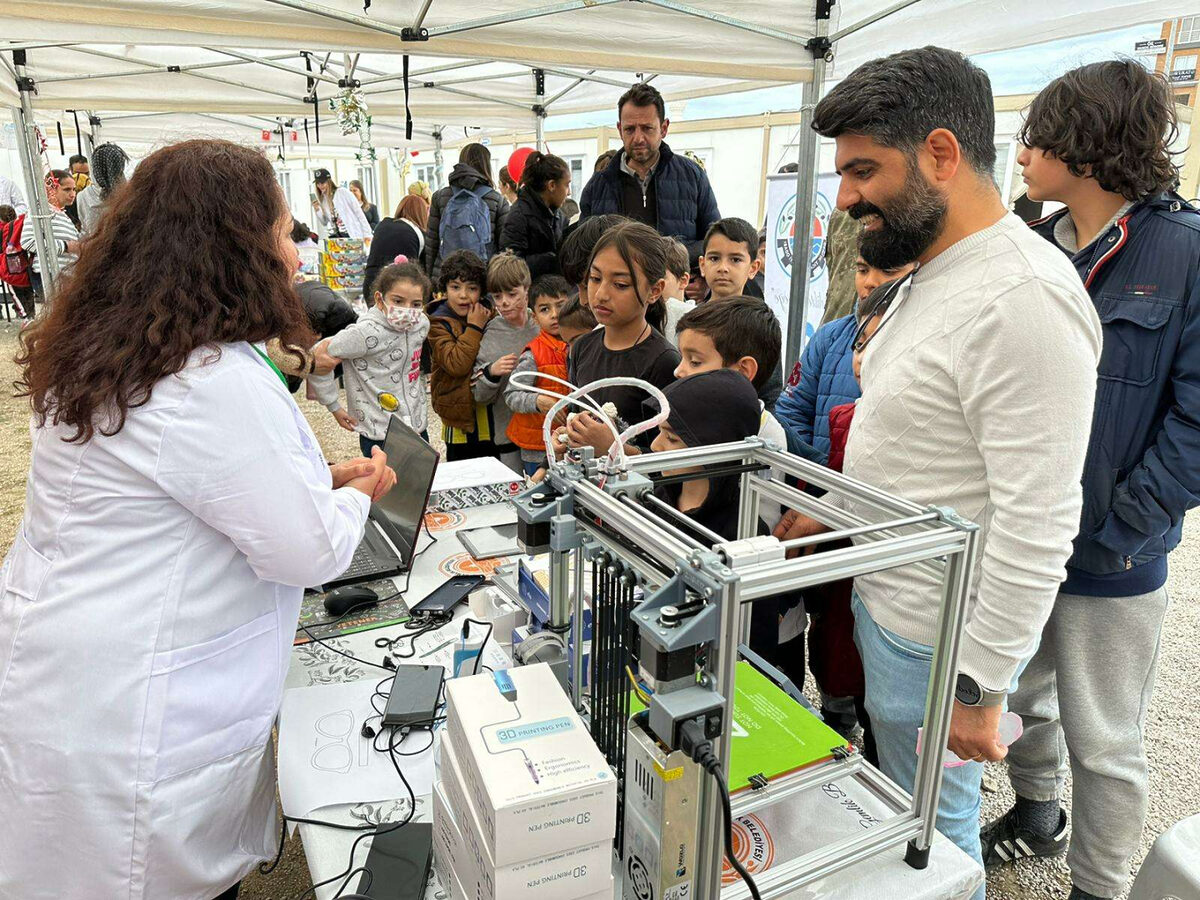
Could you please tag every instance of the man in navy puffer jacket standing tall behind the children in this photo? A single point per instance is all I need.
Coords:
(647, 182)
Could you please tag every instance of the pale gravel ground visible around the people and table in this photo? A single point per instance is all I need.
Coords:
(1173, 729)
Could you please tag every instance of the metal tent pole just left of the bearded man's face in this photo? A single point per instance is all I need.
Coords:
(807, 160)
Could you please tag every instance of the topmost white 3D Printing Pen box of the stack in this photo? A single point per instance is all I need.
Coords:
(535, 777)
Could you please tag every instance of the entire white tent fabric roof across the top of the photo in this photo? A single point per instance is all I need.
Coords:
(475, 70)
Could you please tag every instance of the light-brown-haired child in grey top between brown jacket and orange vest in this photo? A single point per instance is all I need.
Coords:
(506, 337)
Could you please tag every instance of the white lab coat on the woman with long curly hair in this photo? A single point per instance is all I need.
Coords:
(147, 616)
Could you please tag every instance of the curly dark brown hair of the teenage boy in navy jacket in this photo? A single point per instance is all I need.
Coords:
(1113, 122)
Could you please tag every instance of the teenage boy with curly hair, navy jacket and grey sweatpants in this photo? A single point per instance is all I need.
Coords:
(1097, 141)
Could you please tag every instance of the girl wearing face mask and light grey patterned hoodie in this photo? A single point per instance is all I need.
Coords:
(382, 361)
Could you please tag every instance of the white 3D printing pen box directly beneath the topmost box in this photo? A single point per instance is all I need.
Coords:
(571, 874)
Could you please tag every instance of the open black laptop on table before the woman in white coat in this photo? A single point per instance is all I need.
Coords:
(394, 524)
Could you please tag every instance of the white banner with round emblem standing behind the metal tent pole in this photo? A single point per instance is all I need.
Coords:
(781, 244)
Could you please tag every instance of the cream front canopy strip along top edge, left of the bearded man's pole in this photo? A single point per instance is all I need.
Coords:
(649, 35)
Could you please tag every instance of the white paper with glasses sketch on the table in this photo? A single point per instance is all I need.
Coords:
(325, 760)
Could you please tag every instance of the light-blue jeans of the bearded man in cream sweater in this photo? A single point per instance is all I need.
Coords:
(897, 679)
